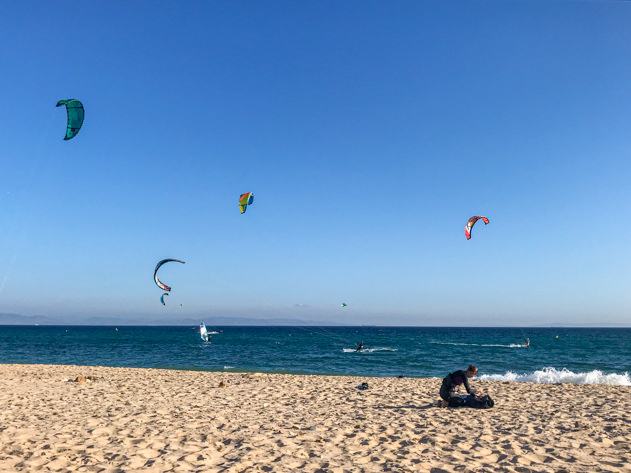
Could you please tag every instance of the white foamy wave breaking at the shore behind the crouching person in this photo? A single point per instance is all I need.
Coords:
(552, 375)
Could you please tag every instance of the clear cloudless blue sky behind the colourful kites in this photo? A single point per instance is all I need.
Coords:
(368, 131)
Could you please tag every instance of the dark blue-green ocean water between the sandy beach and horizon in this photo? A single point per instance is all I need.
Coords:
(578, 355)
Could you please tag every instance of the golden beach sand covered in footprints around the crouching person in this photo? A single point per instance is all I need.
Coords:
(126, 420)
